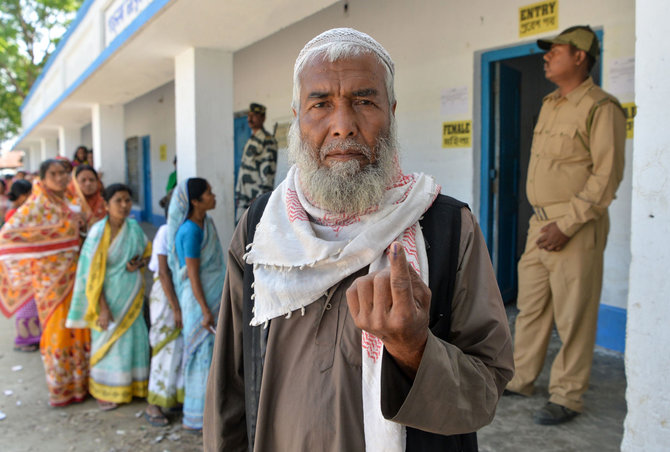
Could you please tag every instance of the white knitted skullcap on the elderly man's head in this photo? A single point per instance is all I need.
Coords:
(343, 35)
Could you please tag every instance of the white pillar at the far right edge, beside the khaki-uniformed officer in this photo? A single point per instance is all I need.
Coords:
(647, 425)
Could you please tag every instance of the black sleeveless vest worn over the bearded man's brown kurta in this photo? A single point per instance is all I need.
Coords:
(441, 230)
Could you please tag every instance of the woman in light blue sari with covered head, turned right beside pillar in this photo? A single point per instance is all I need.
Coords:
(196, 260)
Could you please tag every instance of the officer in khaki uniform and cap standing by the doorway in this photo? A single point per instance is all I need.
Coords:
(576, 164)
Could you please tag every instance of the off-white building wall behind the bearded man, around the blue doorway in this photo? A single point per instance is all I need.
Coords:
(433, 44)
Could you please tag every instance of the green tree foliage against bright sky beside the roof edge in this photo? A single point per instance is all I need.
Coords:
(29, 33)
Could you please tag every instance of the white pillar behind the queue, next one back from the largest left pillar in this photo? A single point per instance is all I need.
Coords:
(109, 156)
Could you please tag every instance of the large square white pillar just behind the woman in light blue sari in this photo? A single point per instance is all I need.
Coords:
(204, 127)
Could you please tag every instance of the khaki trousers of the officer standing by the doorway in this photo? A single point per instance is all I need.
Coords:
(561, 287)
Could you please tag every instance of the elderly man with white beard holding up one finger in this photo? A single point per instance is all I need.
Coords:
(360, 310)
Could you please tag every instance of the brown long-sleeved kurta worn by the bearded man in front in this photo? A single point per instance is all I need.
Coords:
(311, 389)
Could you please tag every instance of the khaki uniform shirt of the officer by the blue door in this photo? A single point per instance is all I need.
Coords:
(575, 164)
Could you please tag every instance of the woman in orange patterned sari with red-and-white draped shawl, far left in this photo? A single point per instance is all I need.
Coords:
(38, 258)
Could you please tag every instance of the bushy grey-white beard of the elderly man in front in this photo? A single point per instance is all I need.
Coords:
(344, 188)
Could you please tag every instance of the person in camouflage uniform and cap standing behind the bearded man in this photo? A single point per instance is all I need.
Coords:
(259, 162)
